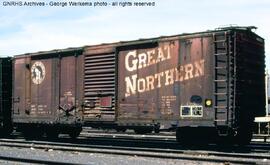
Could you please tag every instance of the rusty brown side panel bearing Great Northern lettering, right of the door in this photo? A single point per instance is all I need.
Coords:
(154, 83)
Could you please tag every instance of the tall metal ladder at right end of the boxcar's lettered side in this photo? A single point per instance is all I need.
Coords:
(222, 61)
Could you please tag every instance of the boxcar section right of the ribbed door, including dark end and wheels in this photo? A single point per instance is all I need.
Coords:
(209, 84)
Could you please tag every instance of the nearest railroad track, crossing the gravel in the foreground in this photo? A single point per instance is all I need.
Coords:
(194, 155)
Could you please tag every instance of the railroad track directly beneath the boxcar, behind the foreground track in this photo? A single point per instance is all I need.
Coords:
(152, 141)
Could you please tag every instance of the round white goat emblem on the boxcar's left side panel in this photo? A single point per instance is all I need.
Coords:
(38, 72)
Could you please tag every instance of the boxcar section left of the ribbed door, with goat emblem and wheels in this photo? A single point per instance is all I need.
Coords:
(47, 94)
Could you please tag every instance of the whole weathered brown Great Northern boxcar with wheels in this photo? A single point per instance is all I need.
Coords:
(208, 81)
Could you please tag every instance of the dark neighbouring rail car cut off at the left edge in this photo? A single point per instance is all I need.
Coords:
(5, 95)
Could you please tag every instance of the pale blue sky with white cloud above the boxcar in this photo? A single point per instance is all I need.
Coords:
(31, 29)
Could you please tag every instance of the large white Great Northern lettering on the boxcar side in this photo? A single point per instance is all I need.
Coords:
(135, 61)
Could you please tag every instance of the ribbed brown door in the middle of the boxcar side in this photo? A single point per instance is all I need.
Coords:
(99, 84)
